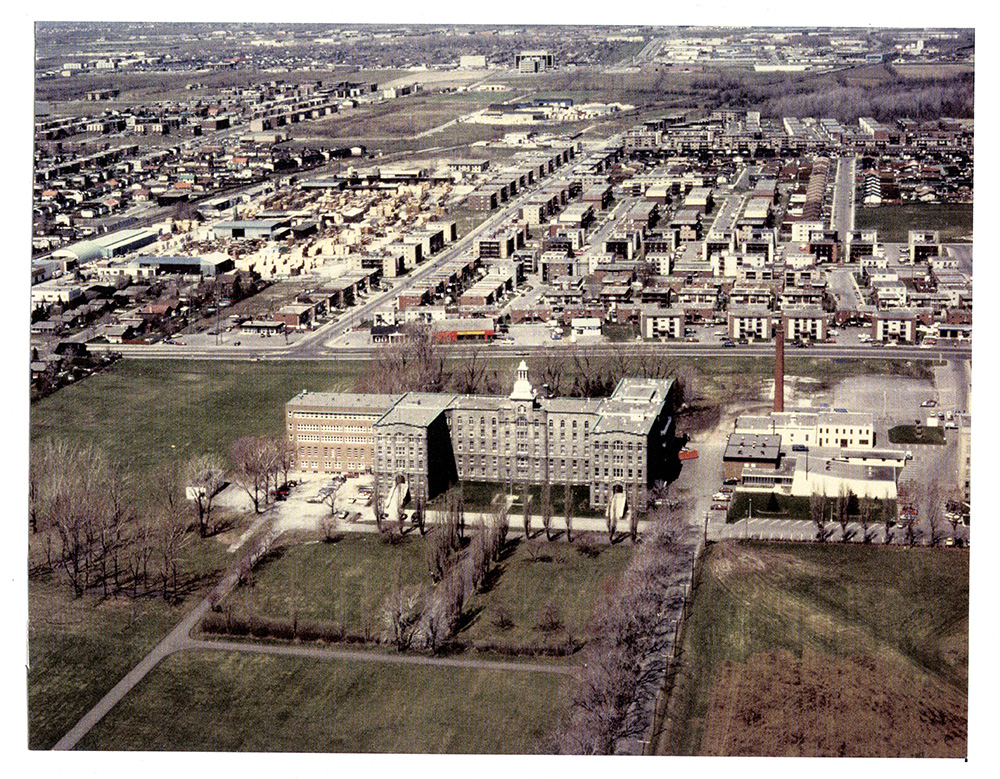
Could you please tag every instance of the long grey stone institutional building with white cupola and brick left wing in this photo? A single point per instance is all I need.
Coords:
(434, 440)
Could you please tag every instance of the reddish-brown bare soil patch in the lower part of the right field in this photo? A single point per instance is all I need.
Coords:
(777, 704)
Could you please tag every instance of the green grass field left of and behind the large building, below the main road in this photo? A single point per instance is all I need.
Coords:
(144, 412)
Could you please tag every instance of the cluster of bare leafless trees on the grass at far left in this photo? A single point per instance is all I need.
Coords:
(89, 525)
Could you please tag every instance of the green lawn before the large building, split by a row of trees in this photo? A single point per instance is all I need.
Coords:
(345, 584)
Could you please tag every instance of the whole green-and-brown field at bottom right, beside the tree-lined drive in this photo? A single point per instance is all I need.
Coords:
(811, 649)
